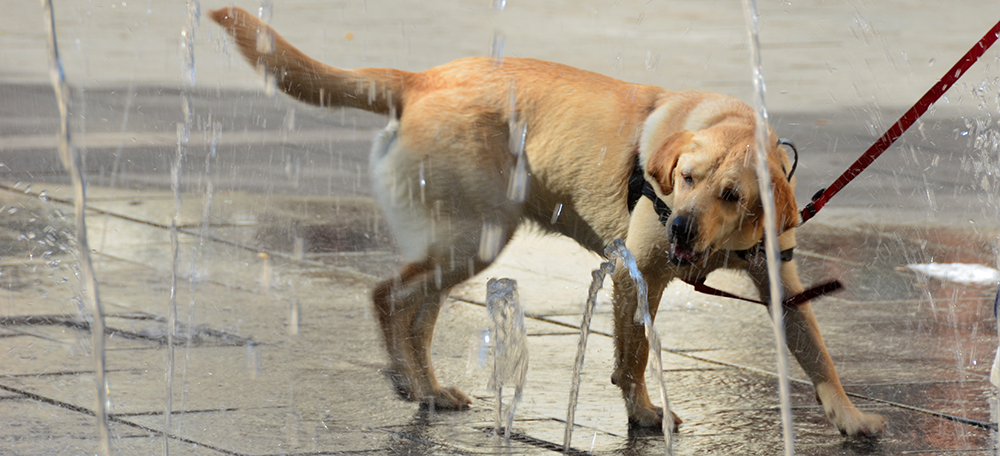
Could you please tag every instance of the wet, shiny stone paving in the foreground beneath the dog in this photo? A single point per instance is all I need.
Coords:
(915, 350)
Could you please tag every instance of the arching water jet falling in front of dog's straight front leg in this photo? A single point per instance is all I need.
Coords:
(618, 251)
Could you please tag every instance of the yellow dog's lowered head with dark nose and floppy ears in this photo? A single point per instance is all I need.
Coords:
(710, 178)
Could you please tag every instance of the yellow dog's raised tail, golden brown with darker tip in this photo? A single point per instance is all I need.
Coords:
(373, 89)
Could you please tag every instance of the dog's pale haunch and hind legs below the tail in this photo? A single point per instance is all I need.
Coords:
(441, 174)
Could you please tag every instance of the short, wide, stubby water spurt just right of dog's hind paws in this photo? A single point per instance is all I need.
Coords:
(510, 346)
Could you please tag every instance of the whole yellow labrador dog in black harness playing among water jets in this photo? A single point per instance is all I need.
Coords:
(671, 173)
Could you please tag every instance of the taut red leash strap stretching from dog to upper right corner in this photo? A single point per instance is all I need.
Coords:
(903, 123)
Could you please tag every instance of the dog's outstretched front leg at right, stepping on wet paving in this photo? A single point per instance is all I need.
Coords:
(806, 344)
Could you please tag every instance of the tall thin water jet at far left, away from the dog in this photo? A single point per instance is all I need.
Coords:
(73, 161)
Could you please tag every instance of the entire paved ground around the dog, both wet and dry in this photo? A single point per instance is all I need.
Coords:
(277, 351)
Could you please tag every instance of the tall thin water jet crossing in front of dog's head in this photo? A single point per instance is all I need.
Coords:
(770, 226)
